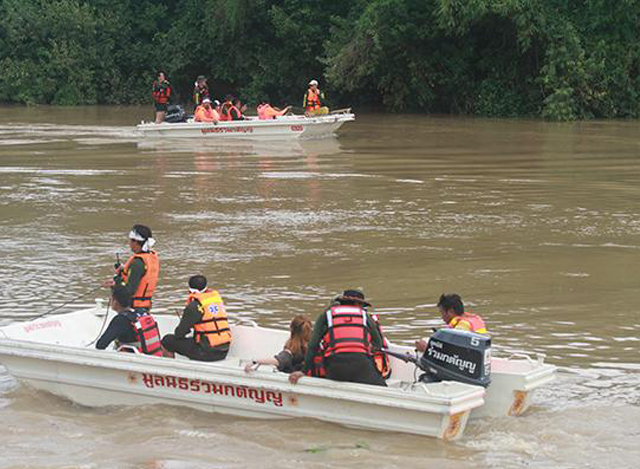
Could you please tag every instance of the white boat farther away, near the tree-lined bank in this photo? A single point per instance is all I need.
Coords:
(285, 127)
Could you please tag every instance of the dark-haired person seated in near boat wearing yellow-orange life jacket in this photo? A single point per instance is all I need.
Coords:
(206, 316)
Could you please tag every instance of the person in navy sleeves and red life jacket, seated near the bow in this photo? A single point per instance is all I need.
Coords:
(129, 327)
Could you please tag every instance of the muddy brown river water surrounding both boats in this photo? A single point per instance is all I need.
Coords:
(535, 224)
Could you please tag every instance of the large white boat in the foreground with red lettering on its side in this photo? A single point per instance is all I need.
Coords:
(55, 354)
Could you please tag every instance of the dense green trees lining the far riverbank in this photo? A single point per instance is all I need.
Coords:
(559, 59)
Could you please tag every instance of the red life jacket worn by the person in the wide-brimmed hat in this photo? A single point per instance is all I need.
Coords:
(347, 331)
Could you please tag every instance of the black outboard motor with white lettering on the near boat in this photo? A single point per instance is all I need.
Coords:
(458, 356)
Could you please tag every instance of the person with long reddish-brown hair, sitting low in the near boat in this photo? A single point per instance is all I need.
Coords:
(291, 358)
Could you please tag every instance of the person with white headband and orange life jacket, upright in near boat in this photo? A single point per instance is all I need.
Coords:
(139, 275)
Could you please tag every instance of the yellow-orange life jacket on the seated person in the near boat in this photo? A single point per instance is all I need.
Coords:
(214, 326)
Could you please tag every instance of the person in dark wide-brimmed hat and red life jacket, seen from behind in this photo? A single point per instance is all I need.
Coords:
(349, 335)
